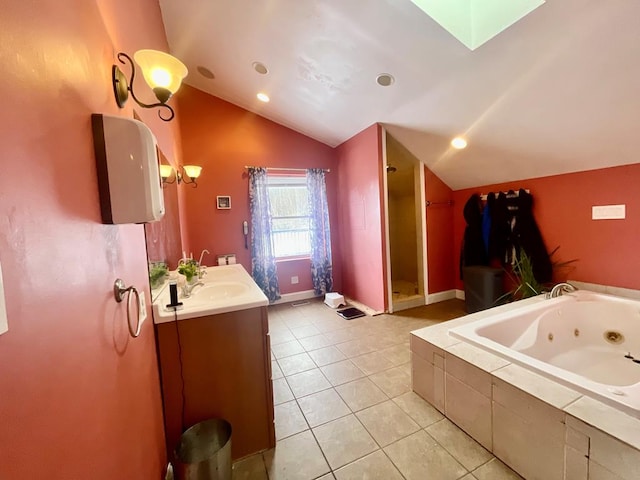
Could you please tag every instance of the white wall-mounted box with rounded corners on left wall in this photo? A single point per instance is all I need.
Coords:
(128, 173)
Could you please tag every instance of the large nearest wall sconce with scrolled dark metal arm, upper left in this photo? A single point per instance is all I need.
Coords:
(162, 72)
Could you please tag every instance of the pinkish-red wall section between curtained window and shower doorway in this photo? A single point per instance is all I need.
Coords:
(361, 218)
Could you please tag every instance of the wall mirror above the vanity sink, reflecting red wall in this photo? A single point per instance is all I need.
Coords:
(164, 243)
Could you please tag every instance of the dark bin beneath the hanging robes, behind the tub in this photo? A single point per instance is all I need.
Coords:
(482, 287)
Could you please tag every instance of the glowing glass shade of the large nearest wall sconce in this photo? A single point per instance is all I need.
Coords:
(161, 70)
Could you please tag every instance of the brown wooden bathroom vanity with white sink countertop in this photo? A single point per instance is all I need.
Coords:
(215, 359)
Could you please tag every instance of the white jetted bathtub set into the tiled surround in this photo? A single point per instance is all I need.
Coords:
(584, 340)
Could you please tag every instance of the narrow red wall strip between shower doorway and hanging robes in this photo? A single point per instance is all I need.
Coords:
(440, 247)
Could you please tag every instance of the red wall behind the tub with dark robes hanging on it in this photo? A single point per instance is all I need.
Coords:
(607, 250)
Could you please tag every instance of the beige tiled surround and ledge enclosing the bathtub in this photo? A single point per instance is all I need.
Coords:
(540, 428)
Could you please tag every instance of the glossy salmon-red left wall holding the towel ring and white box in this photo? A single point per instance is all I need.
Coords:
(80, 398)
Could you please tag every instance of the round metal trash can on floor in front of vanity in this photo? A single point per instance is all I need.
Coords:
(204, 451)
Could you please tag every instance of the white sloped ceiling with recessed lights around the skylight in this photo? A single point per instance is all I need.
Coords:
(556, 92)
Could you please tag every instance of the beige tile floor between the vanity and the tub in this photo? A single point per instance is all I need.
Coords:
(344, 408)
